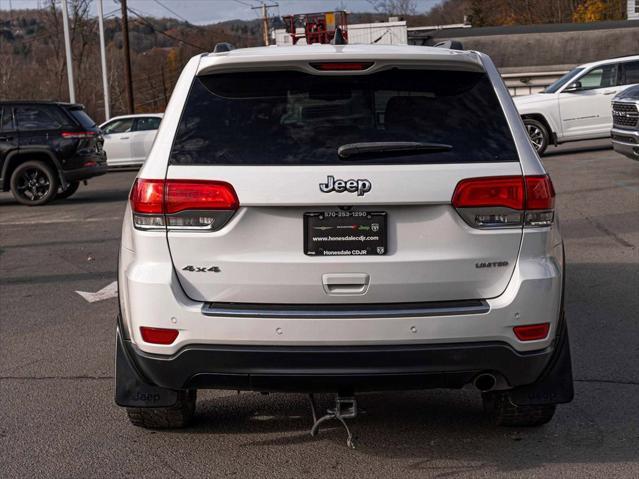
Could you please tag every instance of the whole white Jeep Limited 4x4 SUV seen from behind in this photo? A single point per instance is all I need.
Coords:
(341, 219)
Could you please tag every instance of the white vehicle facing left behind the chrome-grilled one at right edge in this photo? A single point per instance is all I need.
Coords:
(578, 105)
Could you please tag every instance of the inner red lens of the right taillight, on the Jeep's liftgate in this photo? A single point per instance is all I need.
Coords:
(505, 191)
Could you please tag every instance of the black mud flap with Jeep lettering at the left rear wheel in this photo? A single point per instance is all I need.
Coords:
(130, 389)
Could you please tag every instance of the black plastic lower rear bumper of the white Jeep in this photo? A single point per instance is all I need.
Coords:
(329, 369)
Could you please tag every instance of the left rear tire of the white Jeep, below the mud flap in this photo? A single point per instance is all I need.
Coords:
(177, 416)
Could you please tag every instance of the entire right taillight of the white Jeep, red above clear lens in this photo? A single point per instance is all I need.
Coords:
(495, 202)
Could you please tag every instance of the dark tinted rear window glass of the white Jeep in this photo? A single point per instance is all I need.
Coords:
(295, 118)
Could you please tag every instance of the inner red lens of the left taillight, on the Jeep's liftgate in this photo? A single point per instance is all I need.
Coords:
(199, 195)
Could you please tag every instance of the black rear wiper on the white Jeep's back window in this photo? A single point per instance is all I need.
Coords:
(380, 149)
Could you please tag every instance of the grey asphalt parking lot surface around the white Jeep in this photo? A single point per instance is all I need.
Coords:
(58, 418)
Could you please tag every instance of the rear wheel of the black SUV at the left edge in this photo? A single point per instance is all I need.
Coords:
(34, 183)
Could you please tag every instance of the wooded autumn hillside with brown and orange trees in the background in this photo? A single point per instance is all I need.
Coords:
(33, 59)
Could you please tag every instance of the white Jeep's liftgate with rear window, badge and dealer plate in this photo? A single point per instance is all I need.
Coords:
(333, 183)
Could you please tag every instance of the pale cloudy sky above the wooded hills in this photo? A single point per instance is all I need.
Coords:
(211, 11)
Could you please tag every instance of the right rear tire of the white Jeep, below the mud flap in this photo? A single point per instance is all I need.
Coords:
(502, 412)
